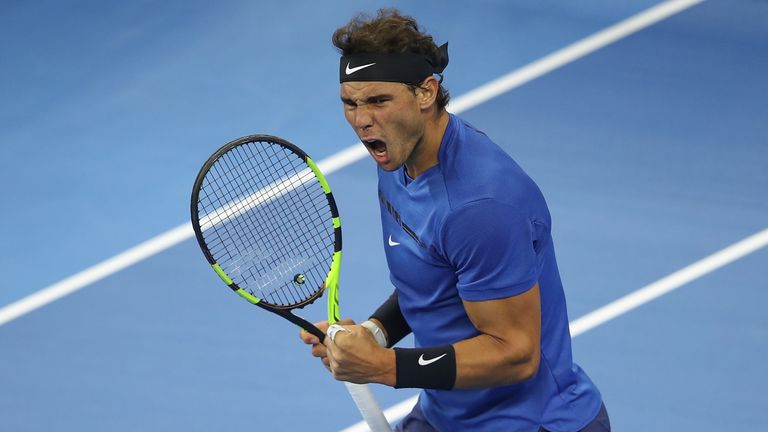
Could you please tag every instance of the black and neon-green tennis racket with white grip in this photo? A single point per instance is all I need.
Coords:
(266, 221)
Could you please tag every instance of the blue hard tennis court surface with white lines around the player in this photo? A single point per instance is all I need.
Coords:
(651, 147)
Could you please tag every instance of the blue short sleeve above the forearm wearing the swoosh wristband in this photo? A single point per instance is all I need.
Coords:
(490, 245)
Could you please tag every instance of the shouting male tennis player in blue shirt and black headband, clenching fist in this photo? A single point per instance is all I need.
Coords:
(467, 240)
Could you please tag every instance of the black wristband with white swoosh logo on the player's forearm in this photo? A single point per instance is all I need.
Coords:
(433, 368)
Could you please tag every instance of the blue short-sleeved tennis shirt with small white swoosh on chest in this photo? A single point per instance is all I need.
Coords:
(476, 227)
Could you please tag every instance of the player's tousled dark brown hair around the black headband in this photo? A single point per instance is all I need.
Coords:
(389, 33)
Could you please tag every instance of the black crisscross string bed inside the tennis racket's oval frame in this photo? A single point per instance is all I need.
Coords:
(266, 220)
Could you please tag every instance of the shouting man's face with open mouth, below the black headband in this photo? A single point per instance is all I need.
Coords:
(387, 119)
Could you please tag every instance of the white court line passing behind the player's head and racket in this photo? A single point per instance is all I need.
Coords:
(353, 153)
